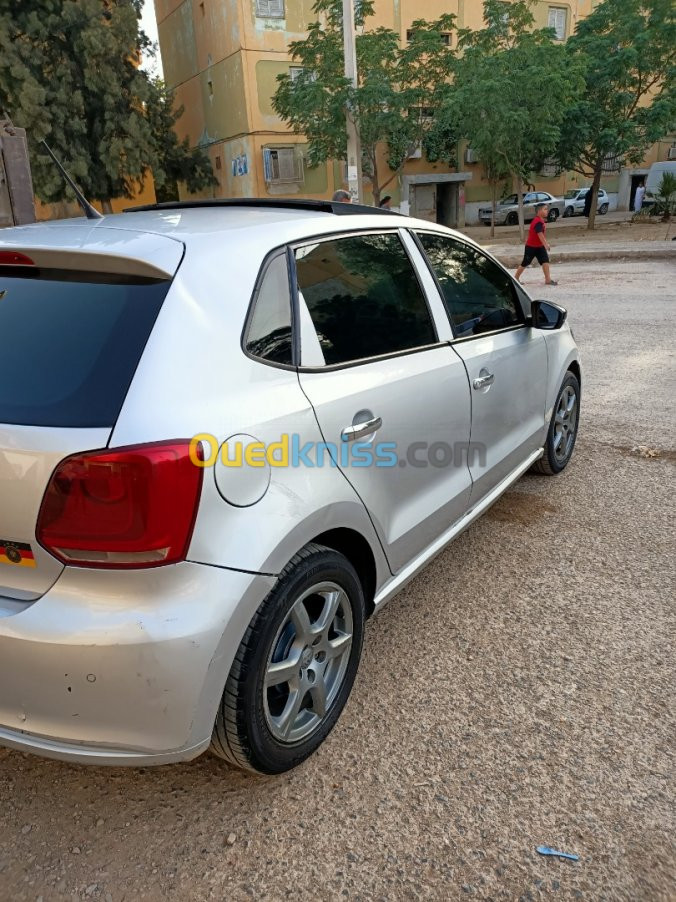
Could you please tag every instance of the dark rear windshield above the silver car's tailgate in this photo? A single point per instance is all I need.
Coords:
(70, 343)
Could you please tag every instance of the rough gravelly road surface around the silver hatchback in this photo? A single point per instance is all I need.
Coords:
(519, 692)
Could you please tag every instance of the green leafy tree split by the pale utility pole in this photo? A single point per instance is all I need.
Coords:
(397, 92)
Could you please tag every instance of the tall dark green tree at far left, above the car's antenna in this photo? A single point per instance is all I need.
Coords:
(69, 75)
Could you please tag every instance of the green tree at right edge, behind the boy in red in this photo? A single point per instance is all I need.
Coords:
(628, 50)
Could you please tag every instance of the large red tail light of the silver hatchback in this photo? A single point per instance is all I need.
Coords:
(133, 507)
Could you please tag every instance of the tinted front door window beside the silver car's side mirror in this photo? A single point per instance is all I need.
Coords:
(478, 295)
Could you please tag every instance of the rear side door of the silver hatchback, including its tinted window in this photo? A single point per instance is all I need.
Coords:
(391, 396)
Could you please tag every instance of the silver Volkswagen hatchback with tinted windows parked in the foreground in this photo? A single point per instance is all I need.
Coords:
(229, 433)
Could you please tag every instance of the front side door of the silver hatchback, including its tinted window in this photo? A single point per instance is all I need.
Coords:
(506, 359)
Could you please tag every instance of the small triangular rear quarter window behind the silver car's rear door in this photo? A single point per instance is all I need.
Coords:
(269, 334)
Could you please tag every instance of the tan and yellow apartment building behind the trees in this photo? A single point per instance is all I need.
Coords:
(222, 58)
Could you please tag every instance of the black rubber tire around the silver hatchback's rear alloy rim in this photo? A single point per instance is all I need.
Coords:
(243, 732)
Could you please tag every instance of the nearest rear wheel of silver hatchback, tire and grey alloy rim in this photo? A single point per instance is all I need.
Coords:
(295, 666)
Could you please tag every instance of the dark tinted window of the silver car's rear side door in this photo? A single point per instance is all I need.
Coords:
(363, 297)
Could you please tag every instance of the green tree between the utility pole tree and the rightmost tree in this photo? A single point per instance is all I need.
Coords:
(503, 75)
